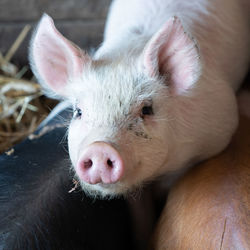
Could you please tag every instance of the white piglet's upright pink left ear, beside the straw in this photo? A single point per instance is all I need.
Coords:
(54, 59)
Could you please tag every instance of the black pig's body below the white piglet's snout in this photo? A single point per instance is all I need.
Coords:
(38, 212)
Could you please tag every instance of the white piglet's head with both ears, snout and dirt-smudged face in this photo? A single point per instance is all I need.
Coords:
(120, 135)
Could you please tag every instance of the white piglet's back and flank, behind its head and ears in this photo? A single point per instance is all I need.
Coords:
(220, 27)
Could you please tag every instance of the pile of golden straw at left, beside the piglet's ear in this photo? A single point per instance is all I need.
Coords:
(22, 104)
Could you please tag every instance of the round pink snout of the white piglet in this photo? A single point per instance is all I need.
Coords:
(100, 163)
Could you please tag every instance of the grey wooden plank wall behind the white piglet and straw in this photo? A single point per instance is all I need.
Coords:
(81, 21)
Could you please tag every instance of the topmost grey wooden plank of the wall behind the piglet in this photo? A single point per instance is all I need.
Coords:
(24, 10)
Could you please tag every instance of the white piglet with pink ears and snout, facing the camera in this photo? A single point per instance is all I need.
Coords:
(156, 97)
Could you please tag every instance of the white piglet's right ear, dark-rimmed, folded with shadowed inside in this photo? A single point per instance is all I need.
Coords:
(172, 53)
